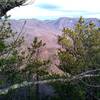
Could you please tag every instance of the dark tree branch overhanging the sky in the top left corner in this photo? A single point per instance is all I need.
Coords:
(6, 5)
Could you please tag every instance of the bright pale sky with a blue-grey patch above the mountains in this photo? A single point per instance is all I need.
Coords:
(52, 9)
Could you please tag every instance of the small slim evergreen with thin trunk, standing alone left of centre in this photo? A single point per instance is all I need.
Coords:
(35, 66)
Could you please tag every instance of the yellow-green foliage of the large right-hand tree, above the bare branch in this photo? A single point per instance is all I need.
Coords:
(84, 50)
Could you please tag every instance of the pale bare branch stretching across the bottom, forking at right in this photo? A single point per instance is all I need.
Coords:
(70, 79)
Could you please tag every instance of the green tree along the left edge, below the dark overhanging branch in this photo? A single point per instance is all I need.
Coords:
(10, 57)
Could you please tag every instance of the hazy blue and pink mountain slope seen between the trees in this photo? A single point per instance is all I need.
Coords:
(47, 30)
